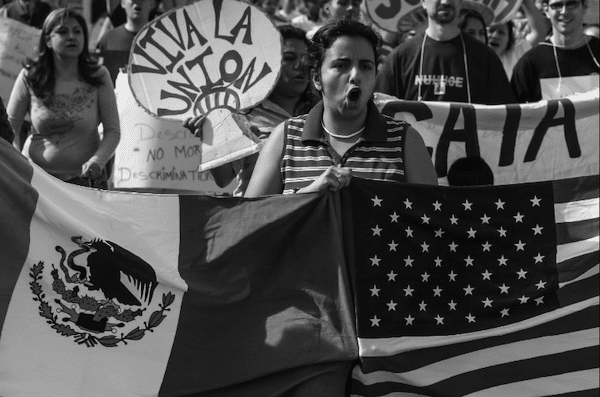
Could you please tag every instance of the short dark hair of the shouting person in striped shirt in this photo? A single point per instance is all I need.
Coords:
(328, 34)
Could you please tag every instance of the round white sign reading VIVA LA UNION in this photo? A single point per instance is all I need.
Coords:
(205, 56)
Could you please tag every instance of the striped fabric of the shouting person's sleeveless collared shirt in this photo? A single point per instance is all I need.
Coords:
(370, 158)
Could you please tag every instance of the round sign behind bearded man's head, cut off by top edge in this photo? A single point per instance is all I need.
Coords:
(402, 15)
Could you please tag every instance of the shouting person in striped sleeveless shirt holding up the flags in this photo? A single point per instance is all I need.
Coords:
(344, 135)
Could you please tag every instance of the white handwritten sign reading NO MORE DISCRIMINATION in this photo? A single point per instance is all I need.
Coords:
(156, 154)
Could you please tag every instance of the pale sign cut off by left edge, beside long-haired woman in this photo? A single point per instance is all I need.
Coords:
(17, 42)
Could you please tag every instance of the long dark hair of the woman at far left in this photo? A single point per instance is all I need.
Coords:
(40, 76)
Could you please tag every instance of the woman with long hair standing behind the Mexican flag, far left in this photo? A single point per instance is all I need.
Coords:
(67, 96)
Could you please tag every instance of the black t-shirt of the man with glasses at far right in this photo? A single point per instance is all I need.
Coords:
(540, 63)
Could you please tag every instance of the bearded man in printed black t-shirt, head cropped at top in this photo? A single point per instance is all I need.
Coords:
(441, 64)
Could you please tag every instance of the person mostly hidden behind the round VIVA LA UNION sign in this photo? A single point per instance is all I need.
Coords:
(291, 96)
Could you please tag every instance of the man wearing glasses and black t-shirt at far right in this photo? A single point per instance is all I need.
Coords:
(564, 64)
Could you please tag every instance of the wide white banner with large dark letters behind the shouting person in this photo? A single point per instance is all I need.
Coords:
(521, 142)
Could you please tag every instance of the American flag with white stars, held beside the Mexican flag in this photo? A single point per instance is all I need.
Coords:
(482, 291)
